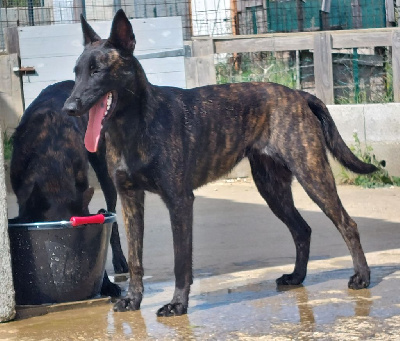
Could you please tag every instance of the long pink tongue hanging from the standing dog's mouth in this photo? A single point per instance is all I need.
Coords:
(96, 114)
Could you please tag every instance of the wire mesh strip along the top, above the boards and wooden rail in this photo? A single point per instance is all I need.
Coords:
(211, 17)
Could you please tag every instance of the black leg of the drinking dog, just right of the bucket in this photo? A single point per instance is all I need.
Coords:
(99, 164)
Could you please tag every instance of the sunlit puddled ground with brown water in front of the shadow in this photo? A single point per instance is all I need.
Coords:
(244, 306)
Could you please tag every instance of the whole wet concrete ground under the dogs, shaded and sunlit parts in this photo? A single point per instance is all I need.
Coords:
(228, 302)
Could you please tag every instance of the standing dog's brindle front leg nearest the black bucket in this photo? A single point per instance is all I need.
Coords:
(133, 214)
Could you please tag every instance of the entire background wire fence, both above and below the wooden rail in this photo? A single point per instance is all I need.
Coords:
(361, 75)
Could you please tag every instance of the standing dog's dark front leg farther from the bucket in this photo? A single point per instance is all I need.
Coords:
(181, 214)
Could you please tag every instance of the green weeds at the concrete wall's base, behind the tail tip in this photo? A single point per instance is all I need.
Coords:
(380, 178)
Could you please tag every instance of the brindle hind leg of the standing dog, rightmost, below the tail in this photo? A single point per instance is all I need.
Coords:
(315, 175)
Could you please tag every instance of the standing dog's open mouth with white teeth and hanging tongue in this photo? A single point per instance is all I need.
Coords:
(98, 113)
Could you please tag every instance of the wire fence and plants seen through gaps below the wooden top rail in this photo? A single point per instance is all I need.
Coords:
(362, 75)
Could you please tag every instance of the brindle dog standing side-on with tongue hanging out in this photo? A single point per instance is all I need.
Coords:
(170, 141)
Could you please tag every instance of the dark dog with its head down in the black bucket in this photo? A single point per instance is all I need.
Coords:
(49, 168)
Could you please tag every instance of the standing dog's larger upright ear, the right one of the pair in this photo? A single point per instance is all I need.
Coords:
(121, 36)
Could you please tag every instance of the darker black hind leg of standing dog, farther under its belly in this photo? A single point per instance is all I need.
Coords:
(273, 181)
